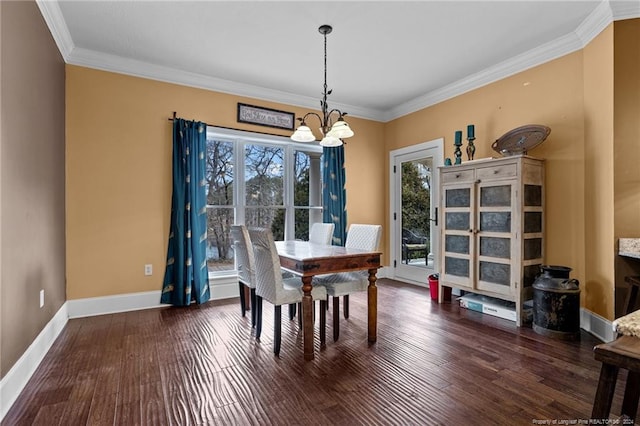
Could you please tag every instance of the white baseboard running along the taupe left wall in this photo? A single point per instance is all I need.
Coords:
(16, 379)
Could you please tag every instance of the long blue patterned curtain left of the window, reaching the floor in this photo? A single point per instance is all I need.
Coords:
(186, 278)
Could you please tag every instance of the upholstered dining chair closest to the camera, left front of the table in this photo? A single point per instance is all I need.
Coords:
(271, 286)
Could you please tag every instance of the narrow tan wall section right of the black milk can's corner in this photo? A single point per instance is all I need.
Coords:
(598, 174)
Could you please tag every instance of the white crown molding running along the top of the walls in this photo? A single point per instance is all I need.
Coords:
(604, 14)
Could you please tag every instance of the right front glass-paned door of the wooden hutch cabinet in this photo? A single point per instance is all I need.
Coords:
(494, 236)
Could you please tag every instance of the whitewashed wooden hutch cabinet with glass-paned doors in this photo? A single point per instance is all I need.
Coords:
(492, 227)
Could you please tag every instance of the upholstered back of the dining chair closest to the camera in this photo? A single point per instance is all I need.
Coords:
(269, 284)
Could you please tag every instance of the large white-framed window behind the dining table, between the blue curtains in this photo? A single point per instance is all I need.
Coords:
(262, 181)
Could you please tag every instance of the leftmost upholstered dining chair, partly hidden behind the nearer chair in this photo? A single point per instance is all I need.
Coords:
(243, 251)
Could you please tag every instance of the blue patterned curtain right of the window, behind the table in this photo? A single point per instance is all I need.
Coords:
(334, 193)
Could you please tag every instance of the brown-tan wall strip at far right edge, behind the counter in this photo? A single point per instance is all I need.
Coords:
(626, 125)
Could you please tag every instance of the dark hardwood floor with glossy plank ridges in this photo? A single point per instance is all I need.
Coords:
(432, 365)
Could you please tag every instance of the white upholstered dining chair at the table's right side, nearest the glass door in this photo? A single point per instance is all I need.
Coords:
(359, 236)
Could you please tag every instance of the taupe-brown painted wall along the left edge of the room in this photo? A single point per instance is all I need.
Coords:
(31, 178)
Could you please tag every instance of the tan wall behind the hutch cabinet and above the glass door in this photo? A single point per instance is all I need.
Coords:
(550, 94)
